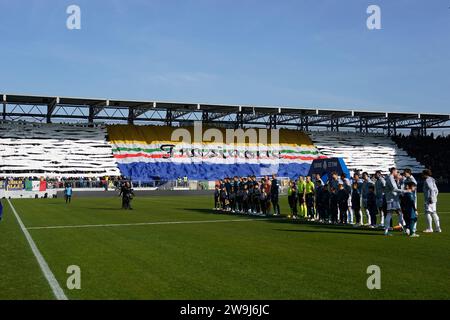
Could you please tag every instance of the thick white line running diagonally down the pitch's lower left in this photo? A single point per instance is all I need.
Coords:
(56, 288)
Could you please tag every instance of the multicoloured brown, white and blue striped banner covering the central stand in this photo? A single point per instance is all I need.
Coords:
(148, 153)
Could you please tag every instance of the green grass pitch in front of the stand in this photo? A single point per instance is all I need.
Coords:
(264, 259)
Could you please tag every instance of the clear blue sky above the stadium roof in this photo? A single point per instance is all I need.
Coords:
(282, 53)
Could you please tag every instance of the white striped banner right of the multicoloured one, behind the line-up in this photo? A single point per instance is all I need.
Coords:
(364, 152)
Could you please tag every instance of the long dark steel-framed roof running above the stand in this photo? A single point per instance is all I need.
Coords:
(89, 110)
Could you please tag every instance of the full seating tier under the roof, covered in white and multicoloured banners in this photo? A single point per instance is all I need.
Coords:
(147, 153)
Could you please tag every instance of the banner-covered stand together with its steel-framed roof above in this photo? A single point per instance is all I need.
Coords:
(110, 138)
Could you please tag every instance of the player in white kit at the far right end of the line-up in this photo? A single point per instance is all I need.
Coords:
(431, 192)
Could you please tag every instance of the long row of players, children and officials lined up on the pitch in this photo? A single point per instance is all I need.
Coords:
(341, 200)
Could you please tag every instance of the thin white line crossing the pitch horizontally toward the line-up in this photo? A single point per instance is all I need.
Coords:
(145, 224)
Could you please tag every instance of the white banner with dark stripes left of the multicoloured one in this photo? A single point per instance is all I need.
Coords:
(55, 150)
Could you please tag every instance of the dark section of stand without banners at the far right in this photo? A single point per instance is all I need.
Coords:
(432, 151)
